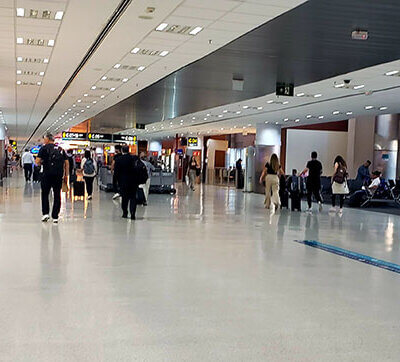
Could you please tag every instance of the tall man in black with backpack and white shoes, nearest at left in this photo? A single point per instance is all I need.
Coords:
(55, 170)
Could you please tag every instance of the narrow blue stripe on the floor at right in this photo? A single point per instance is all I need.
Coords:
(352, 255)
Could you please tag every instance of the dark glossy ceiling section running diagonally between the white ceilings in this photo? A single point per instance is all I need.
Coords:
(310, 43)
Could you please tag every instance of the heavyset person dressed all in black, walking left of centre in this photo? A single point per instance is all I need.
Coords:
(125, 174)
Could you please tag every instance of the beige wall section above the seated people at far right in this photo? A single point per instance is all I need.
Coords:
(360, 143)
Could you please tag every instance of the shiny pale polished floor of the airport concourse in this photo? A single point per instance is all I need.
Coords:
(203, 276)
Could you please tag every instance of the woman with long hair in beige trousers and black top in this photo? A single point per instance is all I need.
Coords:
(270, 175)
